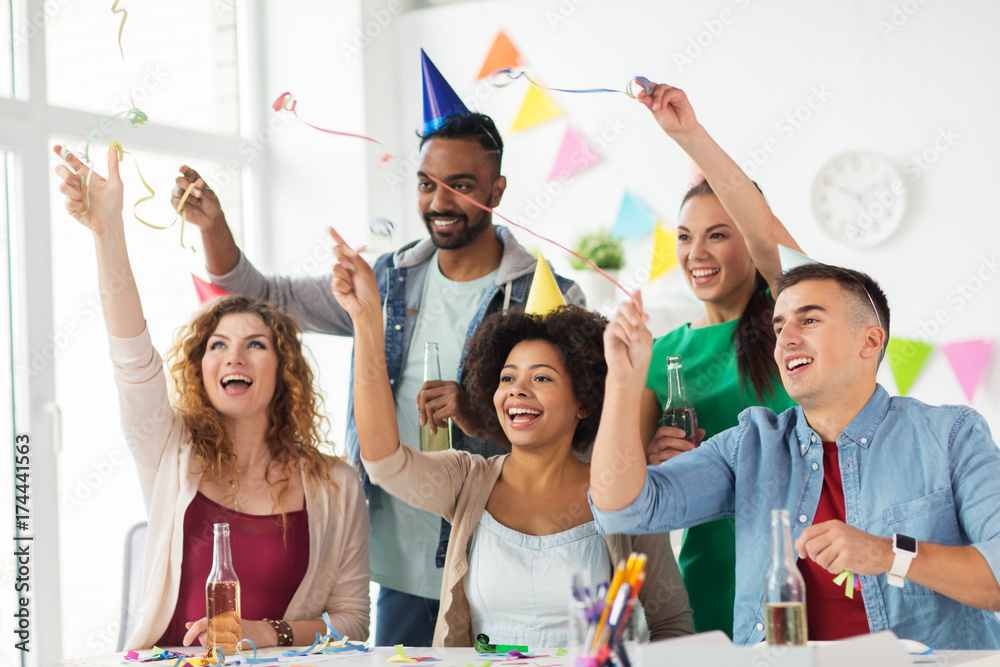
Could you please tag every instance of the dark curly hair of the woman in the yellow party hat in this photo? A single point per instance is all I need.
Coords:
(577, 333)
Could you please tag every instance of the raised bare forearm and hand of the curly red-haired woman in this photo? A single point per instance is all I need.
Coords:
(97, 205)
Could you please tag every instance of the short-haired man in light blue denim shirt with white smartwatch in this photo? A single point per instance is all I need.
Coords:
(908, 469)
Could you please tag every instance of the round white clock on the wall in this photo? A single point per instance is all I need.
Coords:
(859, 198)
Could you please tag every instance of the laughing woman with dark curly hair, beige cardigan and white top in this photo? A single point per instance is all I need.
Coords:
(521, 524)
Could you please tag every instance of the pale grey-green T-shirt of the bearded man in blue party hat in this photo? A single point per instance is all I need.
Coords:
(404, 539)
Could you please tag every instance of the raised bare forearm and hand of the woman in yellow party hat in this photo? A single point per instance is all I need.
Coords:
(356, 291)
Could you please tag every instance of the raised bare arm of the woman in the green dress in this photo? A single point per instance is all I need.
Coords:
(741, 199)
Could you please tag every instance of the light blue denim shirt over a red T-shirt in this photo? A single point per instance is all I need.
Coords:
(931, 472)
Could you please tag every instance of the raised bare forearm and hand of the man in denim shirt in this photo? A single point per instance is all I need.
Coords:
(618, 462)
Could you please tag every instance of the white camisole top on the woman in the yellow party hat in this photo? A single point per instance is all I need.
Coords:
(518, 585)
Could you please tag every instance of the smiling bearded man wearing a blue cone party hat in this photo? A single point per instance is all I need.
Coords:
(437, 289)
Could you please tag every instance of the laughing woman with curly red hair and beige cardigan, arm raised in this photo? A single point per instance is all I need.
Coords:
(240, 445)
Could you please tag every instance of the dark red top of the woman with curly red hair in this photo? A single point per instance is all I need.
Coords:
(269, 562)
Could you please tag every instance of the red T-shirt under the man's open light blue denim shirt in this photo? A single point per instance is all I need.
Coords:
(831, 614)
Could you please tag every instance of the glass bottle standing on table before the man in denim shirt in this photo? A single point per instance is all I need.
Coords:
(784, 588)
